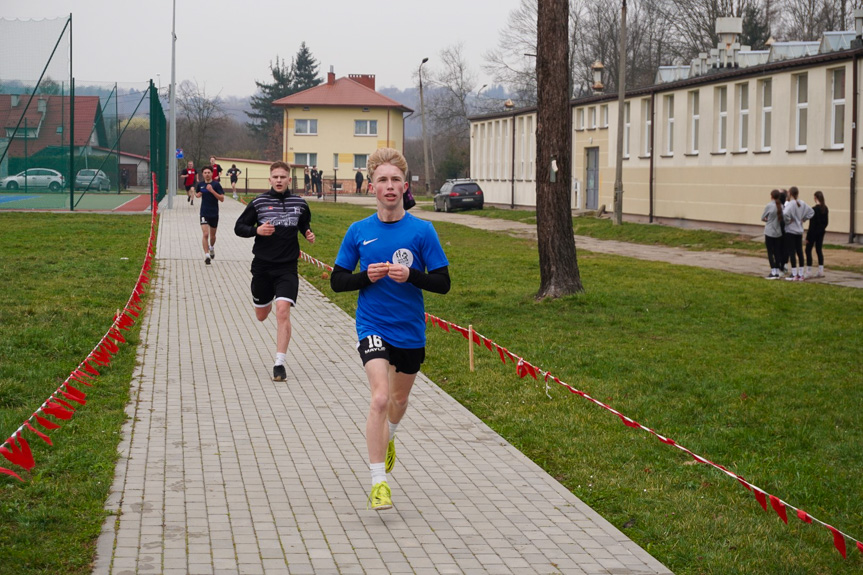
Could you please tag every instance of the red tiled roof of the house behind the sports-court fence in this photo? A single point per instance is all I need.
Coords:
(56, 115)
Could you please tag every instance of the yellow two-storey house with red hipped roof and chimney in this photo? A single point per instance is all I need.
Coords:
(336, 126)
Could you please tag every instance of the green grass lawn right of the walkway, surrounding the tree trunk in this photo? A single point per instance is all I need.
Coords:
(759, 377)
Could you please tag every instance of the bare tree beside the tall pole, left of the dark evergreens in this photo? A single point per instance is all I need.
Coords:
(199, 121)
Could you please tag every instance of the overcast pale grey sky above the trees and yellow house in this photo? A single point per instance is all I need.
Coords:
(226, 45)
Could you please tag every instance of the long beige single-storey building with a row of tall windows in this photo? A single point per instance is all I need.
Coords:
(705, 145)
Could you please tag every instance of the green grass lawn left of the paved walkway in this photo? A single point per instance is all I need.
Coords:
(62, 279)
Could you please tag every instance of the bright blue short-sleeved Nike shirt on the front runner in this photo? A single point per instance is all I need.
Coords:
(392, 310)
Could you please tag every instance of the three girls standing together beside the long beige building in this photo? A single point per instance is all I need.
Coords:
(783, 221)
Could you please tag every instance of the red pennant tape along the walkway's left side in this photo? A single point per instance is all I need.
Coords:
(16, 449)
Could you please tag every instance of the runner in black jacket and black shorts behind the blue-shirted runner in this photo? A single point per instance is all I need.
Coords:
(274, 218)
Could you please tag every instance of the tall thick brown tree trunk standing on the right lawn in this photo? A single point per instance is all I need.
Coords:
(558, 264)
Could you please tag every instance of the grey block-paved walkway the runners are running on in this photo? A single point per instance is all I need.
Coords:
(224, 471)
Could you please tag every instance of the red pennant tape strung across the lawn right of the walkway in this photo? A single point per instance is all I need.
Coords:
(524, 368)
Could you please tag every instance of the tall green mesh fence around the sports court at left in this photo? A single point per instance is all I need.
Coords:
(68, 144)
